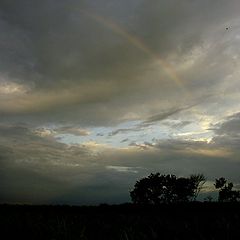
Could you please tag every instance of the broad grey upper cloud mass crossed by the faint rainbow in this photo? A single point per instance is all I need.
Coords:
(76, 67)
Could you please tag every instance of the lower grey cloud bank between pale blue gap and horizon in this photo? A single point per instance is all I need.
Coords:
(38, 169)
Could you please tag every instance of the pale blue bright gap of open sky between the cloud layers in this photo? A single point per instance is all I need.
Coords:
(132, 132)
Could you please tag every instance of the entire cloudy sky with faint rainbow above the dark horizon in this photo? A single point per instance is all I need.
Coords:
(95, 95)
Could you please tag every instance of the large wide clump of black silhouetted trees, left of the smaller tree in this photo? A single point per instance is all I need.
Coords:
(158, 188)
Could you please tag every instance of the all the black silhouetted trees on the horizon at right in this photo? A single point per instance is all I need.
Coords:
(159, 188)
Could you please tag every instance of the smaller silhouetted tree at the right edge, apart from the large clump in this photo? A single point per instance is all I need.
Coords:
(226, 192)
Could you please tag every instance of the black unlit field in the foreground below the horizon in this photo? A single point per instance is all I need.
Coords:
(126, 222)
